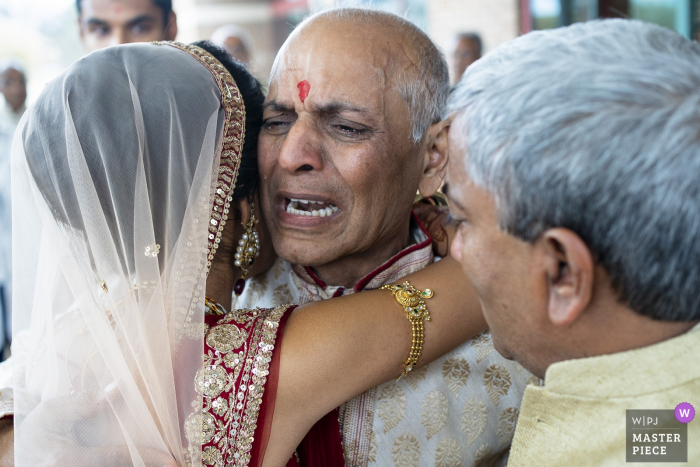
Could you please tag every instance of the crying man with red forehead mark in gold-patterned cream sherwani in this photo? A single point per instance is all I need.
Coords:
(351, 130)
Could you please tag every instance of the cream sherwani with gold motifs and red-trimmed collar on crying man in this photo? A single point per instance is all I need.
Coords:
(459, 410)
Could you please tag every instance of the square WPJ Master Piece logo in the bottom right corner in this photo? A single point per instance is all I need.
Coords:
(656, 436)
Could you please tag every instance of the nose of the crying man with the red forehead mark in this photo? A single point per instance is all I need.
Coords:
(301, 150)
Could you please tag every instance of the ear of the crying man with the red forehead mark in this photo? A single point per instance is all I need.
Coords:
(434, 158)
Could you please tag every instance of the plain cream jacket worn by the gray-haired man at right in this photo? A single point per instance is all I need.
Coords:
(578, 417)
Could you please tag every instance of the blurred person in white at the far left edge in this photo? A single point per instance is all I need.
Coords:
(13, 86)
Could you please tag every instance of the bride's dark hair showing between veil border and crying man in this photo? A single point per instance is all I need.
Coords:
(251, 91)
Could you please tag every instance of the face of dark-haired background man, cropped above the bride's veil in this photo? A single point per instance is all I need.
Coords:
(111, 22)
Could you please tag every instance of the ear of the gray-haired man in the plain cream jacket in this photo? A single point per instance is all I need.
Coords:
(570, 275)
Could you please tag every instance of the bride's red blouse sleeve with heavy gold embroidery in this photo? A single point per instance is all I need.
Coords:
(238, 383)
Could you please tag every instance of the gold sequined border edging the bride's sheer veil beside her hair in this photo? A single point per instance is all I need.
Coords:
(232, 142)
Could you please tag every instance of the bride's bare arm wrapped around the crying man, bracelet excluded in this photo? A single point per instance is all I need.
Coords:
(335, 349)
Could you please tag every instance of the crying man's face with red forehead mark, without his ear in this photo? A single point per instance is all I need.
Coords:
(339, 170)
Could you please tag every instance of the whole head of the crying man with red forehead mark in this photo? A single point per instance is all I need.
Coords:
(354, 105)
